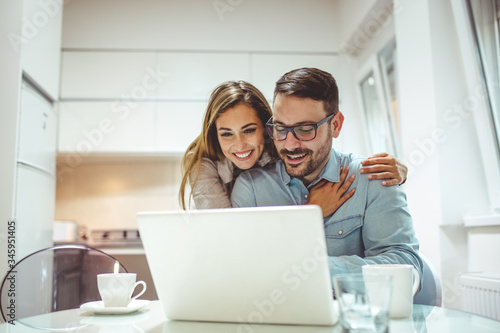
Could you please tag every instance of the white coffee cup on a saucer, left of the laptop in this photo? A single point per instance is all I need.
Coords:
(116, 289)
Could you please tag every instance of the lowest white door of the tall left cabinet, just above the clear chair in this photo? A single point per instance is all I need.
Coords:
(34, 211)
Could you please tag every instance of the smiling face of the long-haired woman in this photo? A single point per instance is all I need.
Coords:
(241, 135)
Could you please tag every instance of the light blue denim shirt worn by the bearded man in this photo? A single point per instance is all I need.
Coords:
(372, 227)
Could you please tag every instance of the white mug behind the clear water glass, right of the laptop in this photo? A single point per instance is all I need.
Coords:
(405, 283)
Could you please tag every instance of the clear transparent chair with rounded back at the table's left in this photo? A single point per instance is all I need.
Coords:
(56, 278)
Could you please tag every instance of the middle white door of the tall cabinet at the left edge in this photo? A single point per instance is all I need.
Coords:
(38, 131)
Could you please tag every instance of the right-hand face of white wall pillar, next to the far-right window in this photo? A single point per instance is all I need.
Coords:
(459, 151)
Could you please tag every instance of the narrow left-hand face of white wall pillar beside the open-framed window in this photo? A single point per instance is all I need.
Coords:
(417, 95)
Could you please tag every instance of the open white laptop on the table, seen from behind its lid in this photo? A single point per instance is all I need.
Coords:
(242, 265)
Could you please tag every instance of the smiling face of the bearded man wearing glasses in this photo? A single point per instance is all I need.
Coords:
(304, 159)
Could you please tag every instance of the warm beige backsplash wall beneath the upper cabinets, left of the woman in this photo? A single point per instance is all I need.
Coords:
(108, 195)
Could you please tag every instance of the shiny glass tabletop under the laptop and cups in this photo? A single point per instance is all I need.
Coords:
(151, 319)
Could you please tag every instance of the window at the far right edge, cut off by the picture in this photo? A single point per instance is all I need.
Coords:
(477, 27)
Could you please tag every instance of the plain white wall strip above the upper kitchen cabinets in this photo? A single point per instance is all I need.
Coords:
(258, 25)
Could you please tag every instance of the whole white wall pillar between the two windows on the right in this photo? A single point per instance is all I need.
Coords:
(439, 143)
